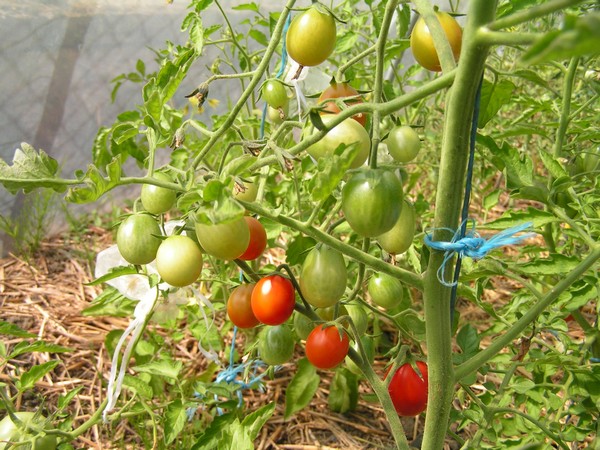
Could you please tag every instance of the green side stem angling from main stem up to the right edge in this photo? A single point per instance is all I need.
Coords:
(485, 355)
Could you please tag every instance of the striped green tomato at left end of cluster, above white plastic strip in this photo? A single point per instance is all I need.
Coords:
(137, 238)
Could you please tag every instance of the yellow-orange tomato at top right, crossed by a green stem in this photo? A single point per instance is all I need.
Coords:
(422, 46)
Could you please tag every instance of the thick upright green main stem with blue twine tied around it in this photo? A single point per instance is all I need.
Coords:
(454, 156)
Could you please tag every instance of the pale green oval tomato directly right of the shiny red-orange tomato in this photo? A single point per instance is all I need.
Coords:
(323, 276)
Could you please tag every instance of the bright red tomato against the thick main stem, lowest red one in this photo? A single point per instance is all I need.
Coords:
(408, 390)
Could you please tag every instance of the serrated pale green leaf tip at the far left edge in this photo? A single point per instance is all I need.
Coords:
(31, 170)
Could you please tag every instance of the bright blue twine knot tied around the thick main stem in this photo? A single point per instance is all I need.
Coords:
(473, 245)
